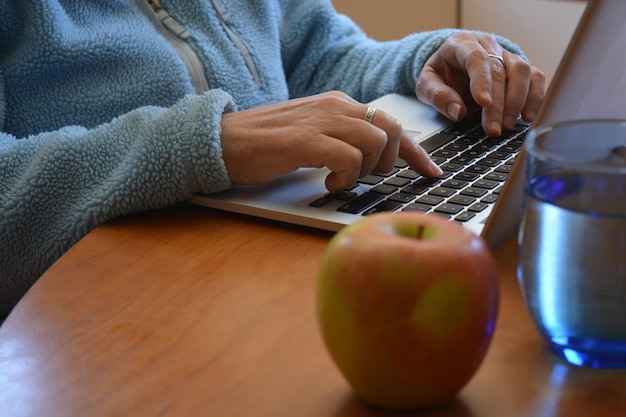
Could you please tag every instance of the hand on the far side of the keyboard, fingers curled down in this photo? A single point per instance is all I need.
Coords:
(466, 70)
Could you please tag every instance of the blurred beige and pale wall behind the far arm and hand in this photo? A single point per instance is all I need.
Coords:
(542, 28)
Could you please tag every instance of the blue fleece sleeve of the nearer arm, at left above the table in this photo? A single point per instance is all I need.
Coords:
(55, 187)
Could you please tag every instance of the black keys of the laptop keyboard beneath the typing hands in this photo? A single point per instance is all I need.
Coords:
(474, 166)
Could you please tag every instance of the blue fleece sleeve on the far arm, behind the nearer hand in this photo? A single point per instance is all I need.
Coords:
(346, 59)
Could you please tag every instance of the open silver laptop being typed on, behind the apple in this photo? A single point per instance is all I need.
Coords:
(482, 184)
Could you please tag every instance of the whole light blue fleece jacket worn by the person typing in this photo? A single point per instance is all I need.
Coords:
(100, 117)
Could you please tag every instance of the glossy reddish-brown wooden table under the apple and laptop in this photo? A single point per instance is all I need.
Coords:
(193, 312)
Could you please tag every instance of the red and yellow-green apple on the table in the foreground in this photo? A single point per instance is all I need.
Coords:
(407, 304)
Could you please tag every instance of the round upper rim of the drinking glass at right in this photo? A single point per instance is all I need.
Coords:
(545, 155)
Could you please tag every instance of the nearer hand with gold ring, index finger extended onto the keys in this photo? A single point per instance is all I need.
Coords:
(326, 130)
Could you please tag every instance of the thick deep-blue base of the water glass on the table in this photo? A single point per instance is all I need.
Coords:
(592, 353)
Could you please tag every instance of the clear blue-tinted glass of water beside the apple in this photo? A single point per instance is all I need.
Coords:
(572, 241)
